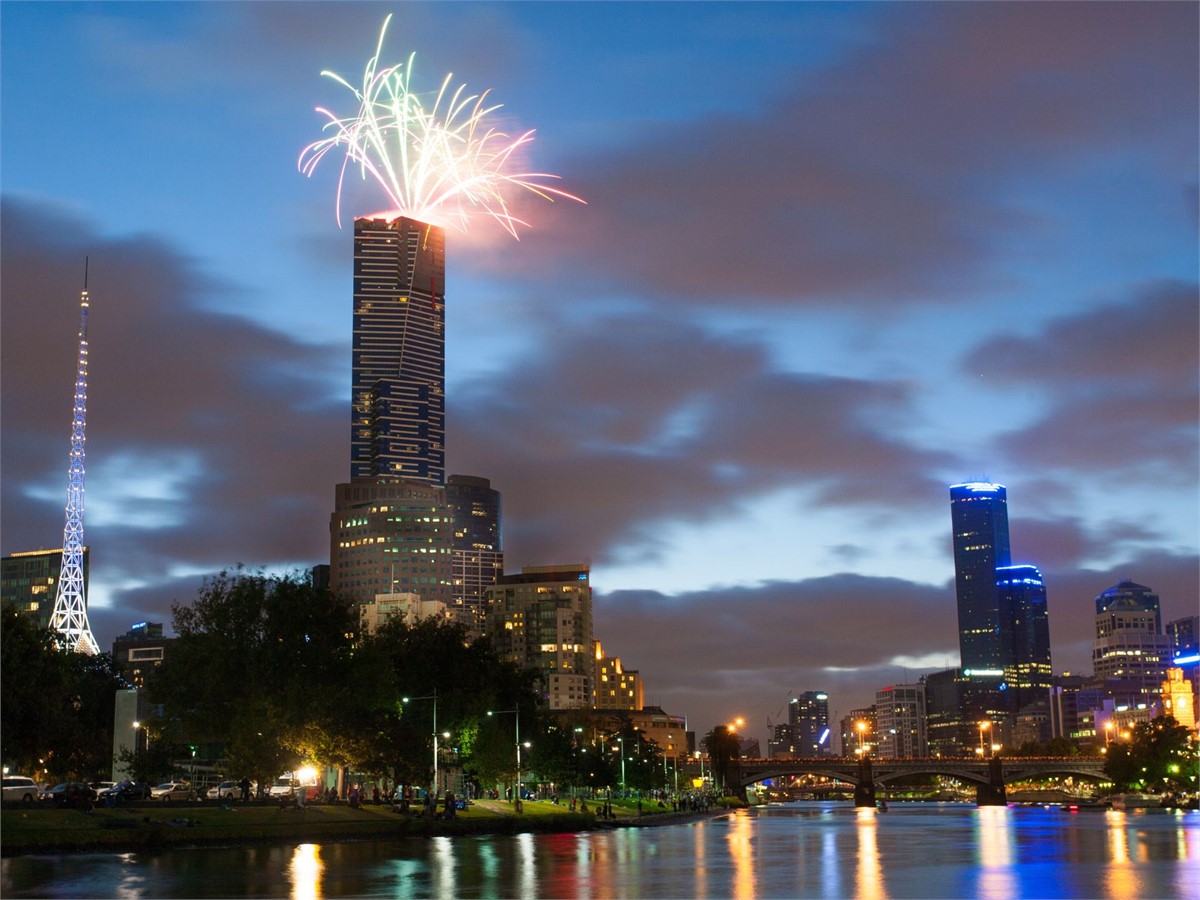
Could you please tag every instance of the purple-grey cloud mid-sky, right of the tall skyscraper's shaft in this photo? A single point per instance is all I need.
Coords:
(603, 435)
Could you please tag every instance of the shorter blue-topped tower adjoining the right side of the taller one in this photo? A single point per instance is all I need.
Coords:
(1028, 670)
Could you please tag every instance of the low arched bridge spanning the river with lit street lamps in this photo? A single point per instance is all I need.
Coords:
(866, 775)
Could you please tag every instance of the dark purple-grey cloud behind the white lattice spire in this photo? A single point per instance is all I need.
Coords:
(206, 433)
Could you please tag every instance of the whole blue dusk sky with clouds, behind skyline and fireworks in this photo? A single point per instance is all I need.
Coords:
(835, 257)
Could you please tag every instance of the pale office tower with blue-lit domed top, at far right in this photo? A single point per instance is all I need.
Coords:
(1130, 650)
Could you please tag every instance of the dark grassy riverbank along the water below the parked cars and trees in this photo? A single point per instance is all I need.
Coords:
(155, 827)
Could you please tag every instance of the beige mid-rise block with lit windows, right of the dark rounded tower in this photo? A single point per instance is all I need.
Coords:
(542, 620)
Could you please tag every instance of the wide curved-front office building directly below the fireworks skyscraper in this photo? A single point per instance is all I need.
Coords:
(391, 536)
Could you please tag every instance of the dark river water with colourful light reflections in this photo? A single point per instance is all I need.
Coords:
(801, 850)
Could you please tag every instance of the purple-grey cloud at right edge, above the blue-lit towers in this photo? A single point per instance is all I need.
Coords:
(1119, 382)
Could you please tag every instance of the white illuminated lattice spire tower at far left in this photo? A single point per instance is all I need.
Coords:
(70, 616)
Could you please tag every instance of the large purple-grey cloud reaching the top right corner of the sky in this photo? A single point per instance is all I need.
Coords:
(898, 176)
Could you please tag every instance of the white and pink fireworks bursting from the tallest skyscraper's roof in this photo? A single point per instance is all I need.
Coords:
(441, 164)
